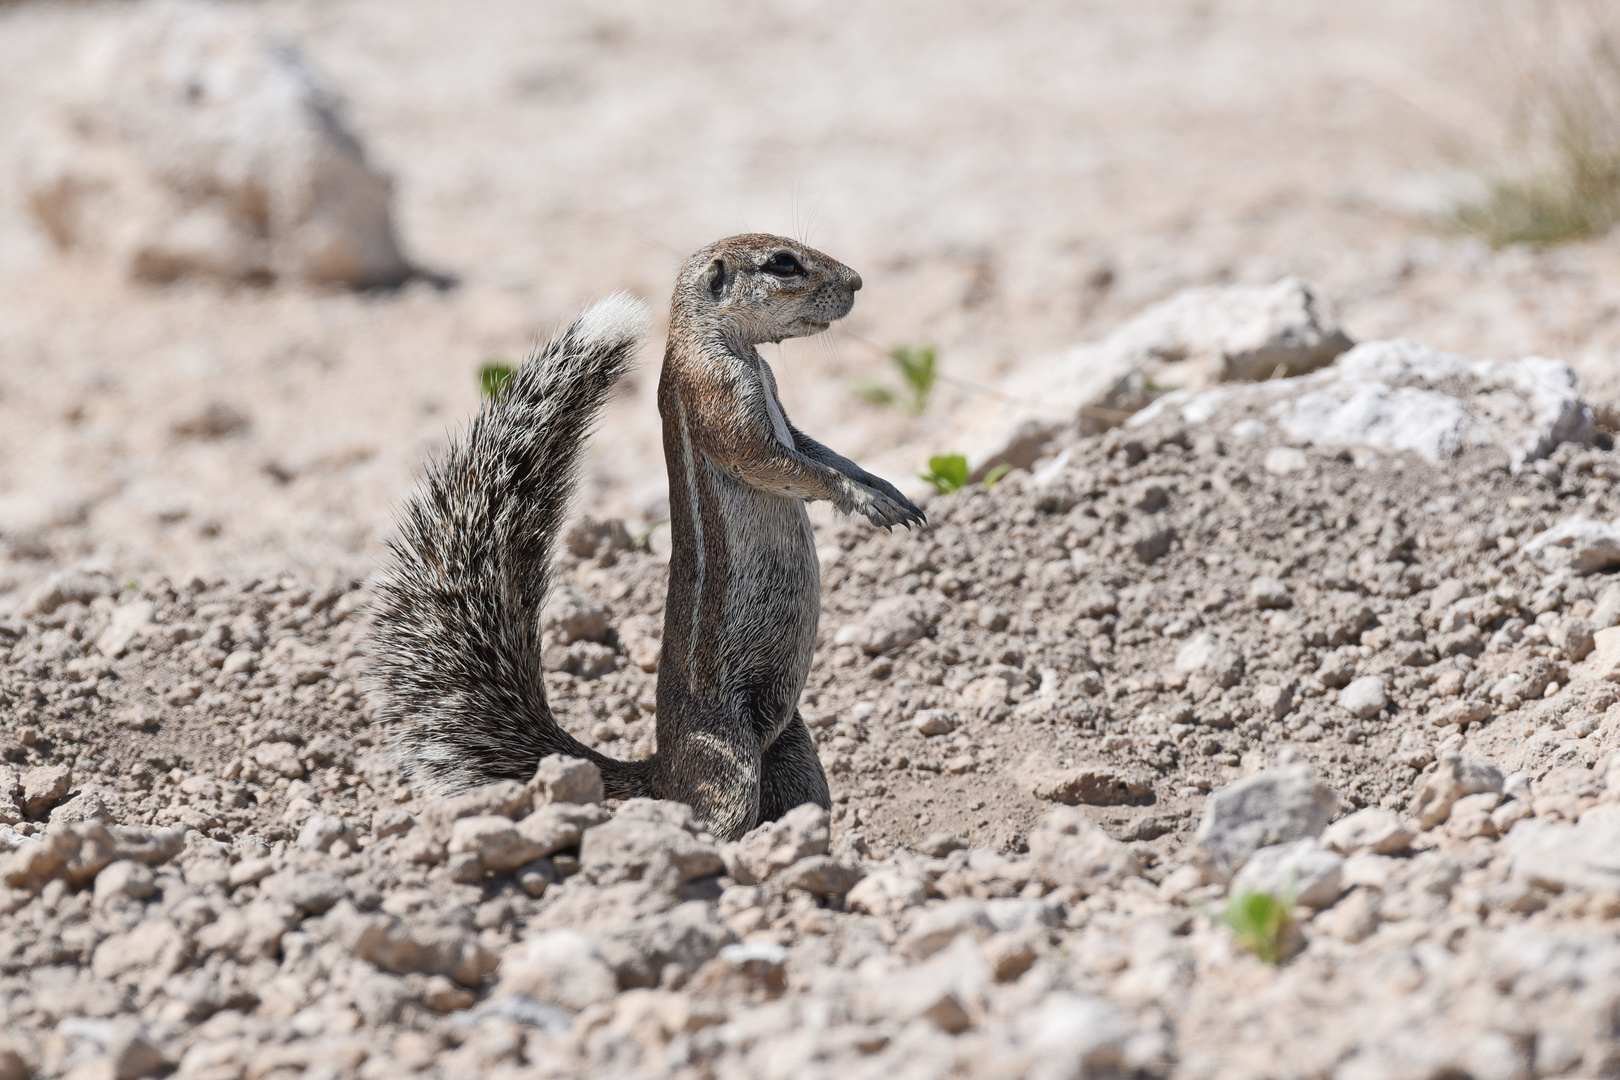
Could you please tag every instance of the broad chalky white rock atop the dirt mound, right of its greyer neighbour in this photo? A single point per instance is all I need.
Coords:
(1405, 398)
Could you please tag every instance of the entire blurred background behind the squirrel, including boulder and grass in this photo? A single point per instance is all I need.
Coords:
(257, 257)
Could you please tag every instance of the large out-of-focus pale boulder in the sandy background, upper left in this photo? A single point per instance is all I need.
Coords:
(190, 143)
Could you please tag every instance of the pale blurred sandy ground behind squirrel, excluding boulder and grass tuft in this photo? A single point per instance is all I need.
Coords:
(1010, 182)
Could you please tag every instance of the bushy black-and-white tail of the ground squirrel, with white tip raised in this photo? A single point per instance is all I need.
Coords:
(456, 650)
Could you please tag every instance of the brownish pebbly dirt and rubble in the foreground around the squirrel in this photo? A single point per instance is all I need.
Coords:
(1057, 723)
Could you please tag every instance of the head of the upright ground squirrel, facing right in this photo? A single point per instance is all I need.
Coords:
(765, 289)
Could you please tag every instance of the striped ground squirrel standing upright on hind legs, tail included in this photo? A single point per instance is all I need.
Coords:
(459, 639)
